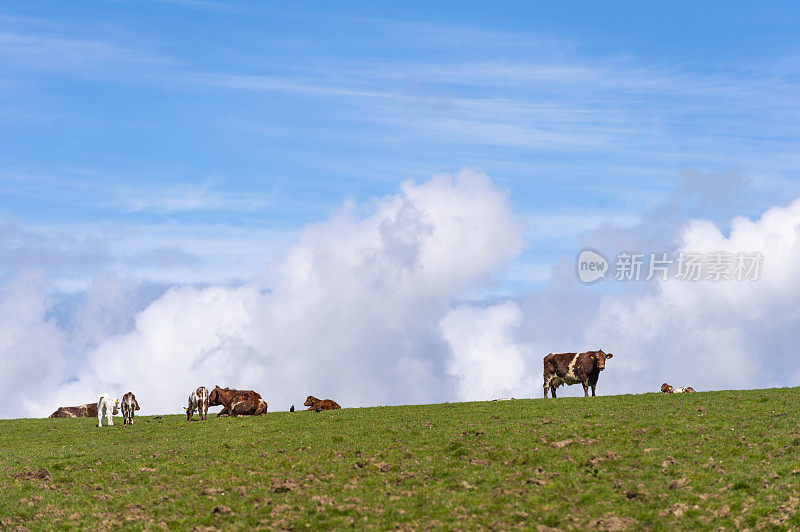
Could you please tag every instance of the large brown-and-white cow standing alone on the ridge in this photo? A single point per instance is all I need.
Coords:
(574, 368)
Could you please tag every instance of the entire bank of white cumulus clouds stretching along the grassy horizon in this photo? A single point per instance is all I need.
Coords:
(368, 307)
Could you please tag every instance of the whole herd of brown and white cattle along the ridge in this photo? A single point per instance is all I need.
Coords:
(559, 369)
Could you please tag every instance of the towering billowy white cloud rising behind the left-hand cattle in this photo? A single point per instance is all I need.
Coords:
(353, 314)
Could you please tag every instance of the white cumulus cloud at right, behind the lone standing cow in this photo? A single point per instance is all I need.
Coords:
(707, 334)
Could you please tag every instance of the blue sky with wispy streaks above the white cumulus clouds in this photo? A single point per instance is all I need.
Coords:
(181, 117)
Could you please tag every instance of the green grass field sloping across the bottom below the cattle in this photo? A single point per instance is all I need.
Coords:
(699, 461)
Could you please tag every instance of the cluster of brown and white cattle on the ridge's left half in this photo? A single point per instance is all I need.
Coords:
(233, 402)
